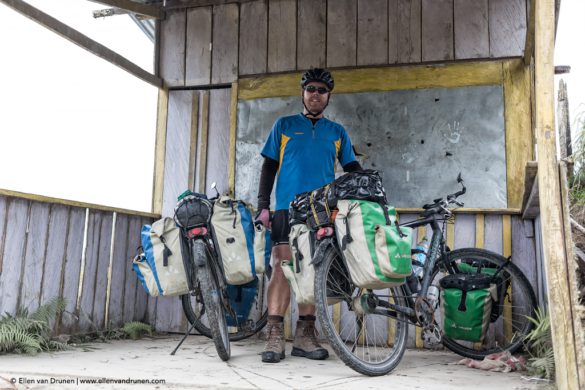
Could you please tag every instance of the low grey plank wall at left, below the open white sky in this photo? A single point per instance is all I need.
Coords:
(79, 253)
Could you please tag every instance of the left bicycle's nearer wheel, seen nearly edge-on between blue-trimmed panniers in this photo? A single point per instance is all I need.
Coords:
(212, 299)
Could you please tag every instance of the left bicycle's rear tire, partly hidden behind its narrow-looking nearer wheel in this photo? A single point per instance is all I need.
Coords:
(194, 310)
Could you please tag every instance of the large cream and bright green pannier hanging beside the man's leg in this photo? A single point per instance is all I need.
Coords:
(377, 255)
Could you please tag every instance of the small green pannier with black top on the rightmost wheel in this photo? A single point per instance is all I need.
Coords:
(466, 305)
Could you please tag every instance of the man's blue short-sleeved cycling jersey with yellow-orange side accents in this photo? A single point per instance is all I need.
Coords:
(306, 154)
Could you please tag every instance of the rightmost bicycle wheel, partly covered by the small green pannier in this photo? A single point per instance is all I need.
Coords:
(509, 316)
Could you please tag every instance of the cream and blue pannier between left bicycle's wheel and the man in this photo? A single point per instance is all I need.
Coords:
(243, 247)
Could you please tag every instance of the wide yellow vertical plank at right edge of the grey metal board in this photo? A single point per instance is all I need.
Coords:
(517, 117)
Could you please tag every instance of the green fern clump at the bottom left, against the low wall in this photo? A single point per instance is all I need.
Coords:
(31, 333)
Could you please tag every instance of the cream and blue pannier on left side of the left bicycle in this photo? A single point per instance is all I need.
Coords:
(160, 268)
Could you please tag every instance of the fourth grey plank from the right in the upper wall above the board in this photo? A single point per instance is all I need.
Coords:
(409, 31)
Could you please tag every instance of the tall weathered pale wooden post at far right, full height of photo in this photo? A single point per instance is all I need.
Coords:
(550, 199)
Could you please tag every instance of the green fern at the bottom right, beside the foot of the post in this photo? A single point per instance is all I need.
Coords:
(539, 345)
